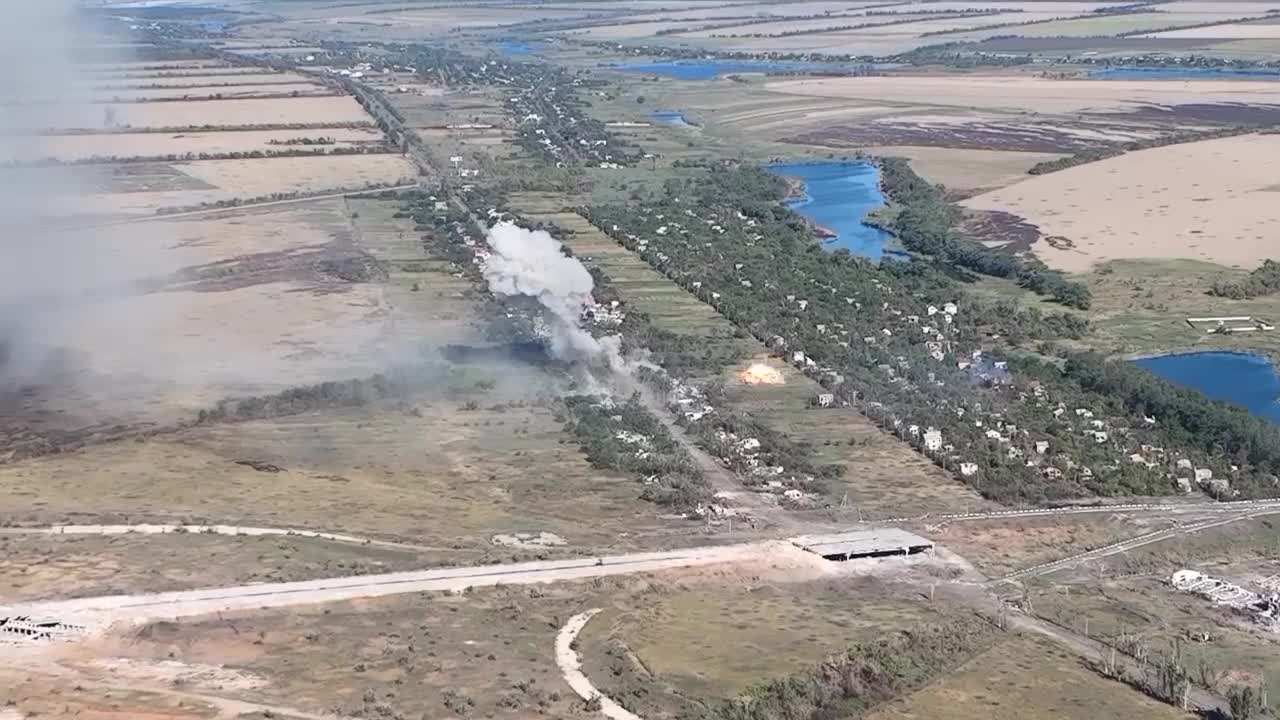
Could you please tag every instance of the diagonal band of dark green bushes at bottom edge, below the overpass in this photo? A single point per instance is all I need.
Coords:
(863, 677)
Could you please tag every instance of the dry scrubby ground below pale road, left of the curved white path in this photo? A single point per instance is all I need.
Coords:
(488, 653)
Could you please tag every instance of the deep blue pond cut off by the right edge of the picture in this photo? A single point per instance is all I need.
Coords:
(1242, 379)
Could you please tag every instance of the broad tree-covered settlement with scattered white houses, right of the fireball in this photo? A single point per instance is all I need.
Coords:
(870, 332)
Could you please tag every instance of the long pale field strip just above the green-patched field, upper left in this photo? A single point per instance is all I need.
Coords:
(68, 148)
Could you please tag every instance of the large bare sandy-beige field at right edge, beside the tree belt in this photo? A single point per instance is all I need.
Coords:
(1212, 200)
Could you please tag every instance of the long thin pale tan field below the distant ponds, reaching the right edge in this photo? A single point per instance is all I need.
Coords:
(1035, 95)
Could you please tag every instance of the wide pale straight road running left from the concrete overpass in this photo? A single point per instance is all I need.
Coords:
(99, 613)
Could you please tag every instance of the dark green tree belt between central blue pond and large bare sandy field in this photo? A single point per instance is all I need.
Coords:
(926, 224)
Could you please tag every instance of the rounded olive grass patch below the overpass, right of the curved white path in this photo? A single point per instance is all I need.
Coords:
(714, 644)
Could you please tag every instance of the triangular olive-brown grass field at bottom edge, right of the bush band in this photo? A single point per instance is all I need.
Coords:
(1026, 678)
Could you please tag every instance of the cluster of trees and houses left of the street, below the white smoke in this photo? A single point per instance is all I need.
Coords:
(628, 438)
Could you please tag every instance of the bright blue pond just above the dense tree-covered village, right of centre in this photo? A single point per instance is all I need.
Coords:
(838, 197)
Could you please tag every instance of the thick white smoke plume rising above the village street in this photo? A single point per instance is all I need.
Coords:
(532, 263)
